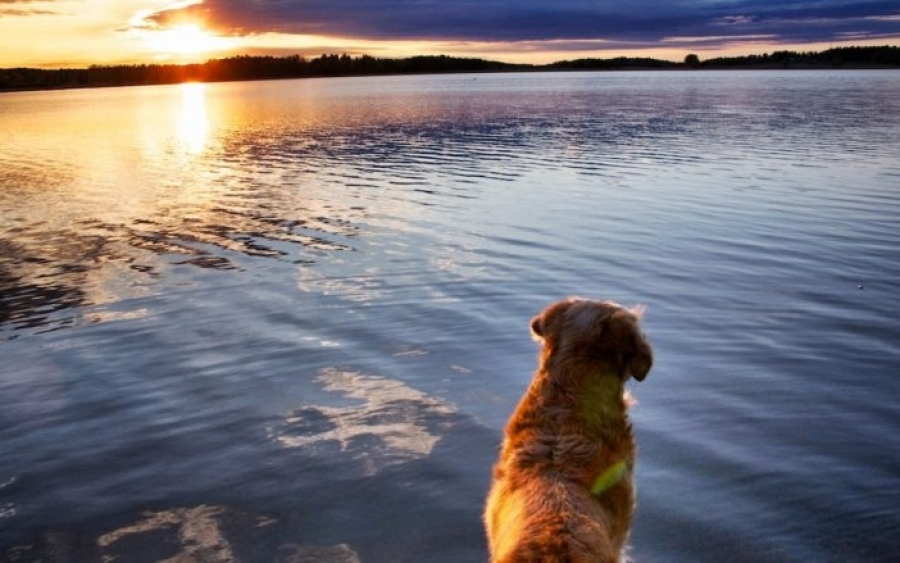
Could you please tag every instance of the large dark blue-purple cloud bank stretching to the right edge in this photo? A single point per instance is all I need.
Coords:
(641, 22)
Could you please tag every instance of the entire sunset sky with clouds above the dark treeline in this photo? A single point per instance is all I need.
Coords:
(77, 33)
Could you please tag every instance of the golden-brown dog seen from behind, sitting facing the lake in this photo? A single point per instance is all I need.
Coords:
(562, 487)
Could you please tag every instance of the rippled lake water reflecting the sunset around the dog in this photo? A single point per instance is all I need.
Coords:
(243, 320)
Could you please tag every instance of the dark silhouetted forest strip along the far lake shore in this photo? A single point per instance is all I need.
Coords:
(265, 67)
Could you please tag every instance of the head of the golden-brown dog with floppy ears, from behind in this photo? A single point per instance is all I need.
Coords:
(602, 331)
